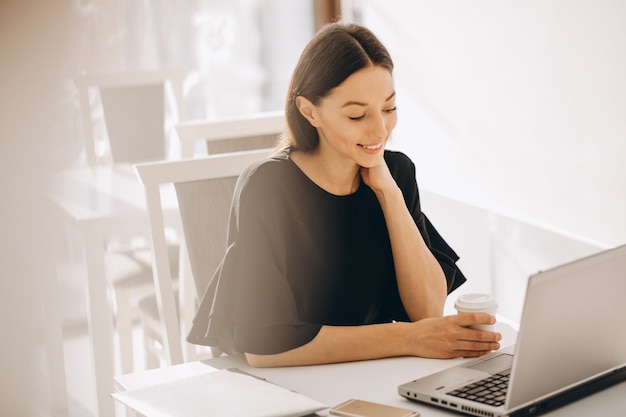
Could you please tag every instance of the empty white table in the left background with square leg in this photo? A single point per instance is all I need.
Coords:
(108, 201)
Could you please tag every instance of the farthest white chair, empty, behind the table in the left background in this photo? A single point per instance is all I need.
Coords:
(134, 112)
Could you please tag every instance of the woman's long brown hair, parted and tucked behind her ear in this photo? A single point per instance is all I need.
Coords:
(337, 51)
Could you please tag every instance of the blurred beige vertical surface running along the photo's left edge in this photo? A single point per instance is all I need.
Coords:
(32, 41)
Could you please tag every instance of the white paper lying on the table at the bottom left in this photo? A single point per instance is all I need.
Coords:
(220, 393)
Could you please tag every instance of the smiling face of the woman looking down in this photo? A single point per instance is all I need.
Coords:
(355, 120)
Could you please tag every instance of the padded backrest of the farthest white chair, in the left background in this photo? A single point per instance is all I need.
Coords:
(133, 111)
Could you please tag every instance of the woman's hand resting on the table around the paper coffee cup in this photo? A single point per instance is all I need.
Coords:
(450, 337)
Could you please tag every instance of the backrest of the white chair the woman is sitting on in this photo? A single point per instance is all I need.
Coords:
(204, 191)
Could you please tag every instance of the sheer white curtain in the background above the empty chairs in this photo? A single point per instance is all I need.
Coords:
(239, 53)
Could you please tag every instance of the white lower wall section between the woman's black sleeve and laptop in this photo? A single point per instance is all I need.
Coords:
(498, 251)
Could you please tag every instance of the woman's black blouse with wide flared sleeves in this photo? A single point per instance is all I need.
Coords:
(300, 258)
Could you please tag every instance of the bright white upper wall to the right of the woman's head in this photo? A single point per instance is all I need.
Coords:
(518, 106)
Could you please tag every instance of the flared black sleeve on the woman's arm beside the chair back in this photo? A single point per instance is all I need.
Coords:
(249, 305)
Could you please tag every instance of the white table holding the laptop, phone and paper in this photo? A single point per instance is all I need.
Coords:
(375, 380)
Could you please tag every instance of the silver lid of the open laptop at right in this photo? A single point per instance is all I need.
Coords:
(585, 301)
